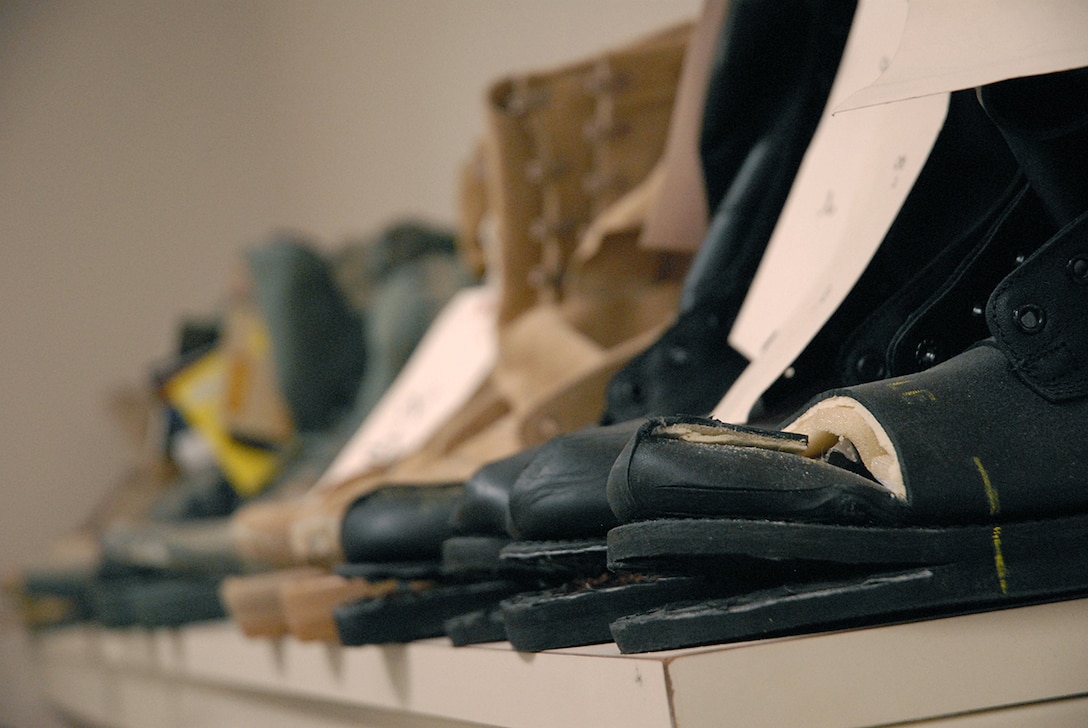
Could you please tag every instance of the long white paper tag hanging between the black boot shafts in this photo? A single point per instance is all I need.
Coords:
(858, 171)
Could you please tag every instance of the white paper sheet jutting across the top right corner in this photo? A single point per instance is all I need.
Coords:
(949, 46)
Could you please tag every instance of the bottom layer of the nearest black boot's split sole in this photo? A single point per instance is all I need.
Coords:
(1027, 564)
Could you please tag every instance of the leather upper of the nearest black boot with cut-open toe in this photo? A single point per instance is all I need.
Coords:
(963, 442)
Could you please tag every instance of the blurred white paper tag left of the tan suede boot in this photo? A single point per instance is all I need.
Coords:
(448, 367)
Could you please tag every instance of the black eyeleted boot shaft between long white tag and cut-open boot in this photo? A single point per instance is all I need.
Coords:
(970, 220)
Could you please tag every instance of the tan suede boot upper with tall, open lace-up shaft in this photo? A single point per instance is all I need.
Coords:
(566, 154)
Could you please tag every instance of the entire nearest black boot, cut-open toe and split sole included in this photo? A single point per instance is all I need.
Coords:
(970, 470)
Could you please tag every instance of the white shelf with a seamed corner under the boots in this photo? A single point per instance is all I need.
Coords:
(1027, 667)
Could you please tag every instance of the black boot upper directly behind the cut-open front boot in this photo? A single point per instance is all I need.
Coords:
(926, 288)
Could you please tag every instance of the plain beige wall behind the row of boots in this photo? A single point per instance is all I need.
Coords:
(144, 144)
